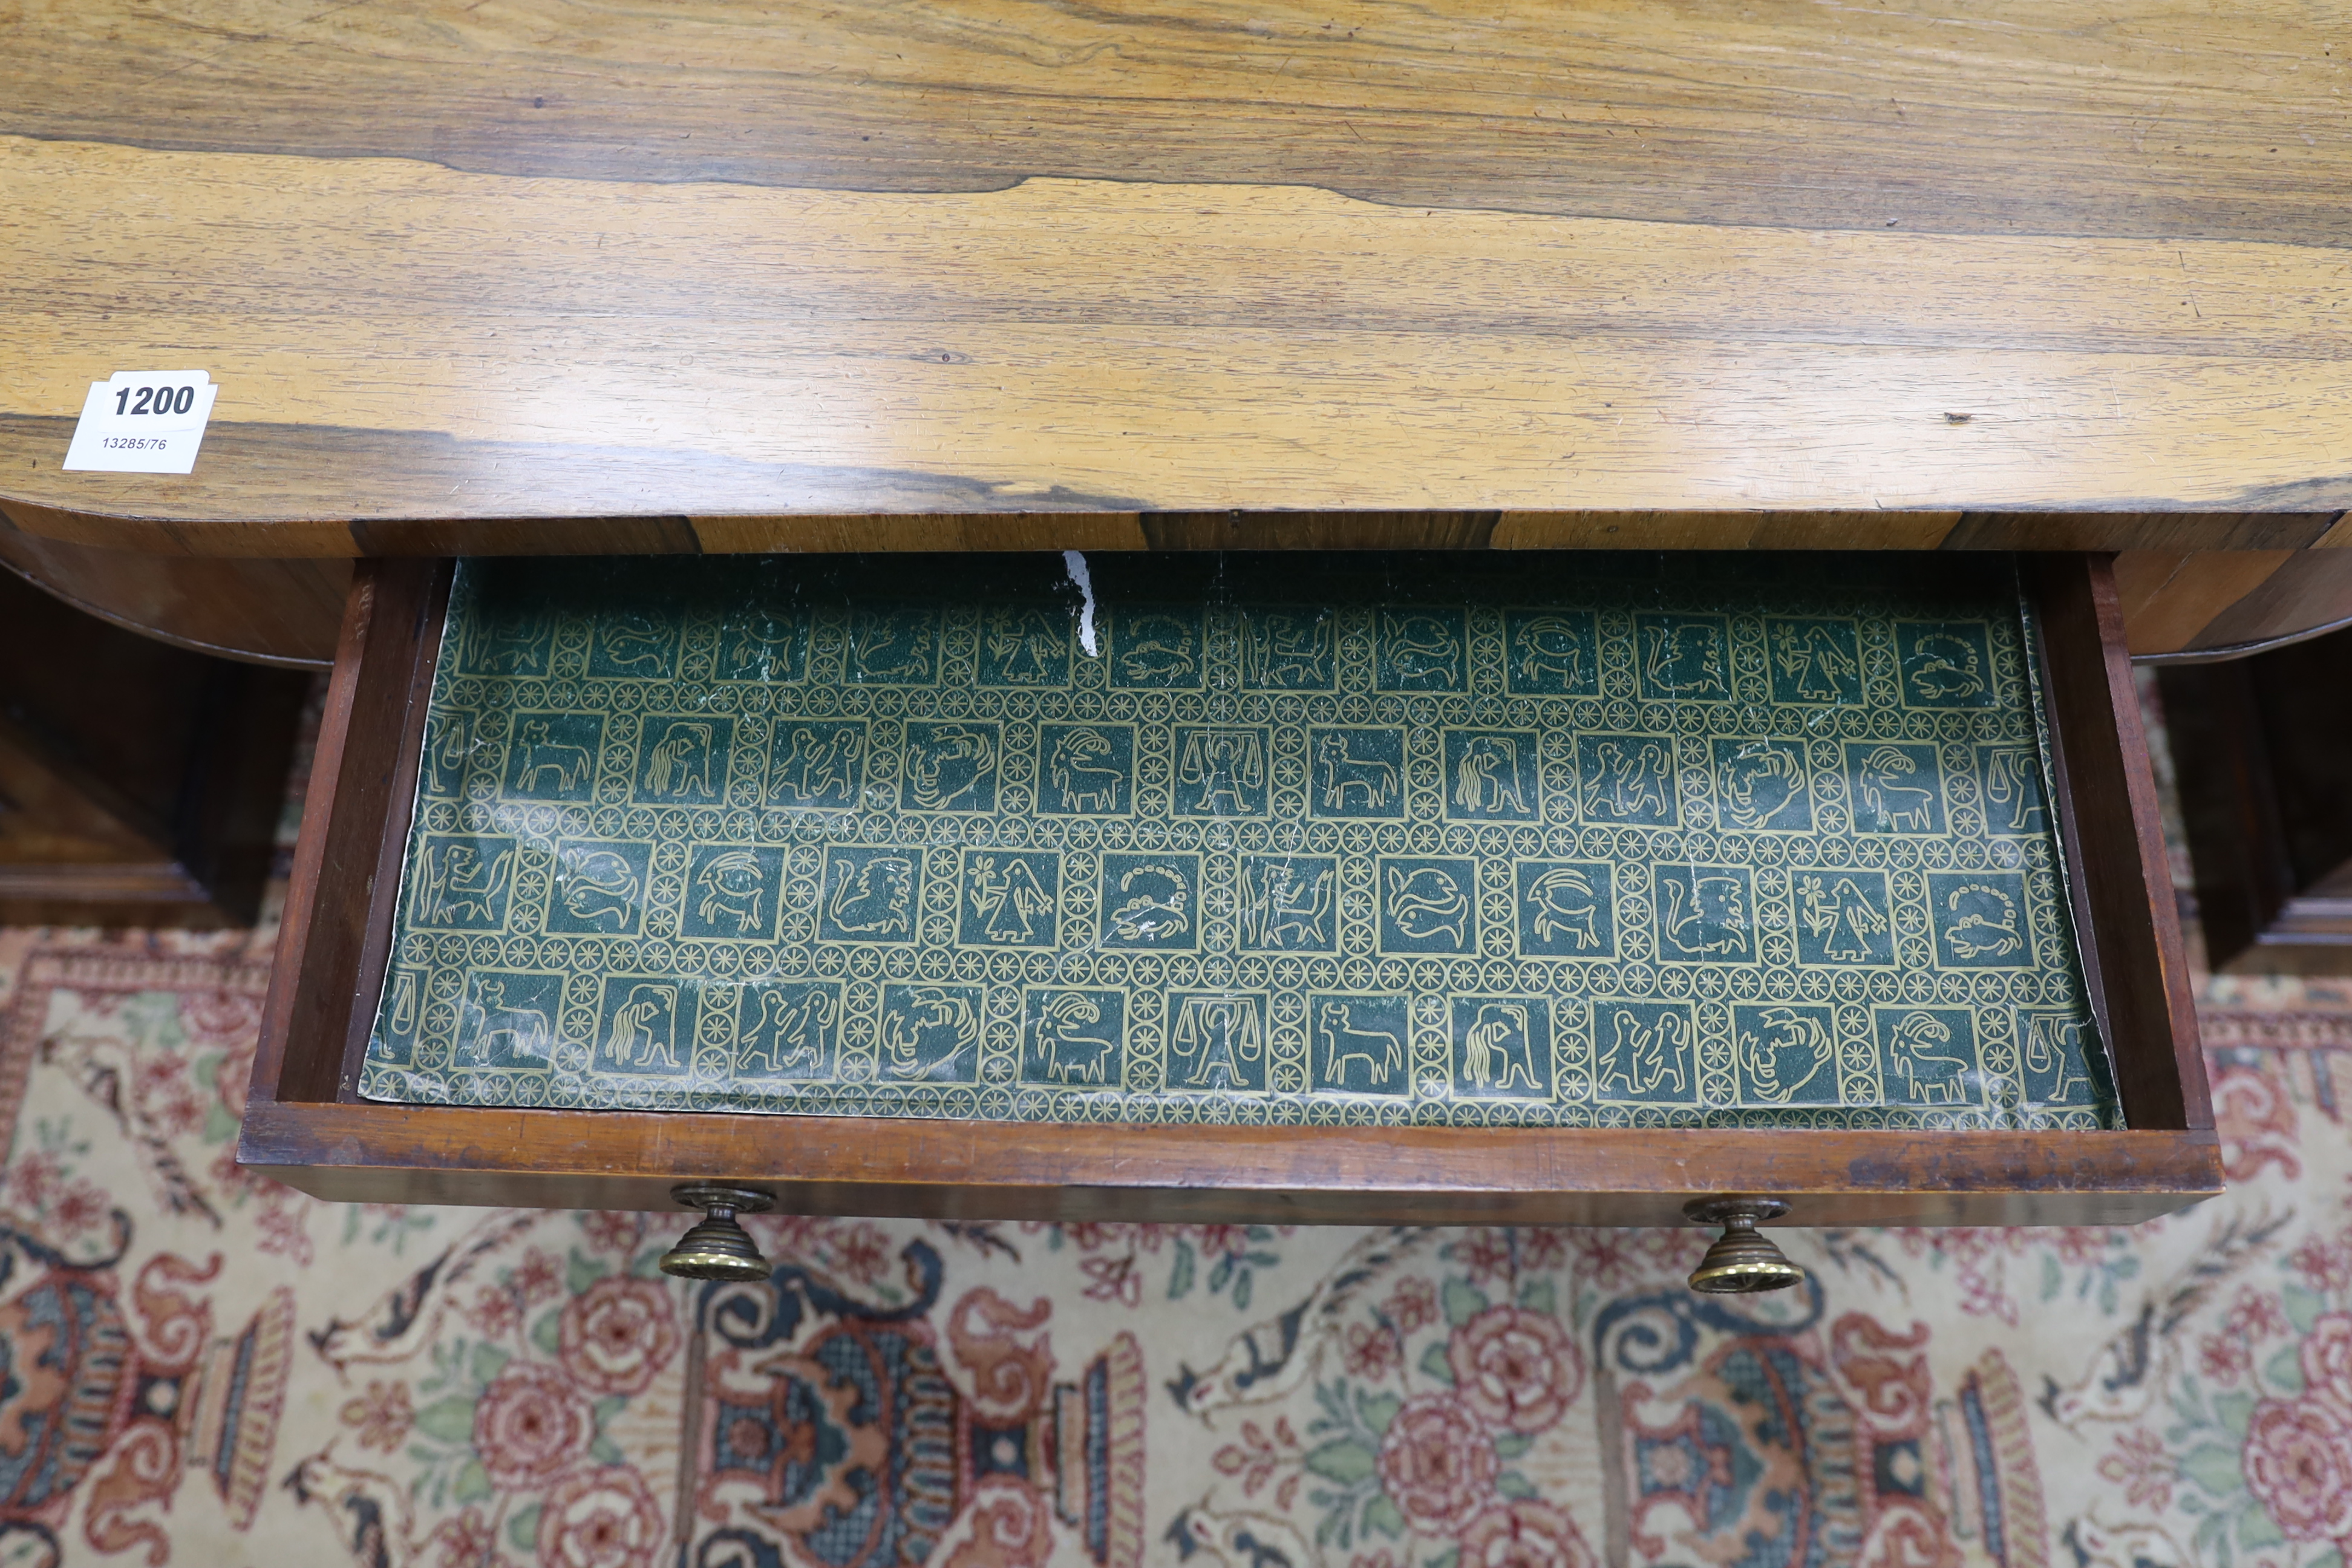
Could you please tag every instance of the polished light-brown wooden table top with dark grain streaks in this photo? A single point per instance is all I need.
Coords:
(989, 272)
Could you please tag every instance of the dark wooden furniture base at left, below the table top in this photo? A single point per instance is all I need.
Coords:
(140, 784)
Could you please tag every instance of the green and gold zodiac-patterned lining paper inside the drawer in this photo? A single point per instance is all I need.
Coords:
(1344, 840)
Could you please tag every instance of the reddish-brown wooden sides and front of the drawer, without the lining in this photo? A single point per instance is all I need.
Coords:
(307, 1127)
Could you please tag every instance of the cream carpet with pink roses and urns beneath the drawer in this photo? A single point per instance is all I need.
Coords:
(199, 1367)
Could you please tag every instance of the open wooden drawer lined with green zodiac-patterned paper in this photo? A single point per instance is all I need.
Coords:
(1852, 960)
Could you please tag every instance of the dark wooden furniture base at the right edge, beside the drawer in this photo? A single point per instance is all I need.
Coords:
(2264, 753)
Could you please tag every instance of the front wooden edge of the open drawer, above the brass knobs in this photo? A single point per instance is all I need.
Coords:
(352, 1153)
